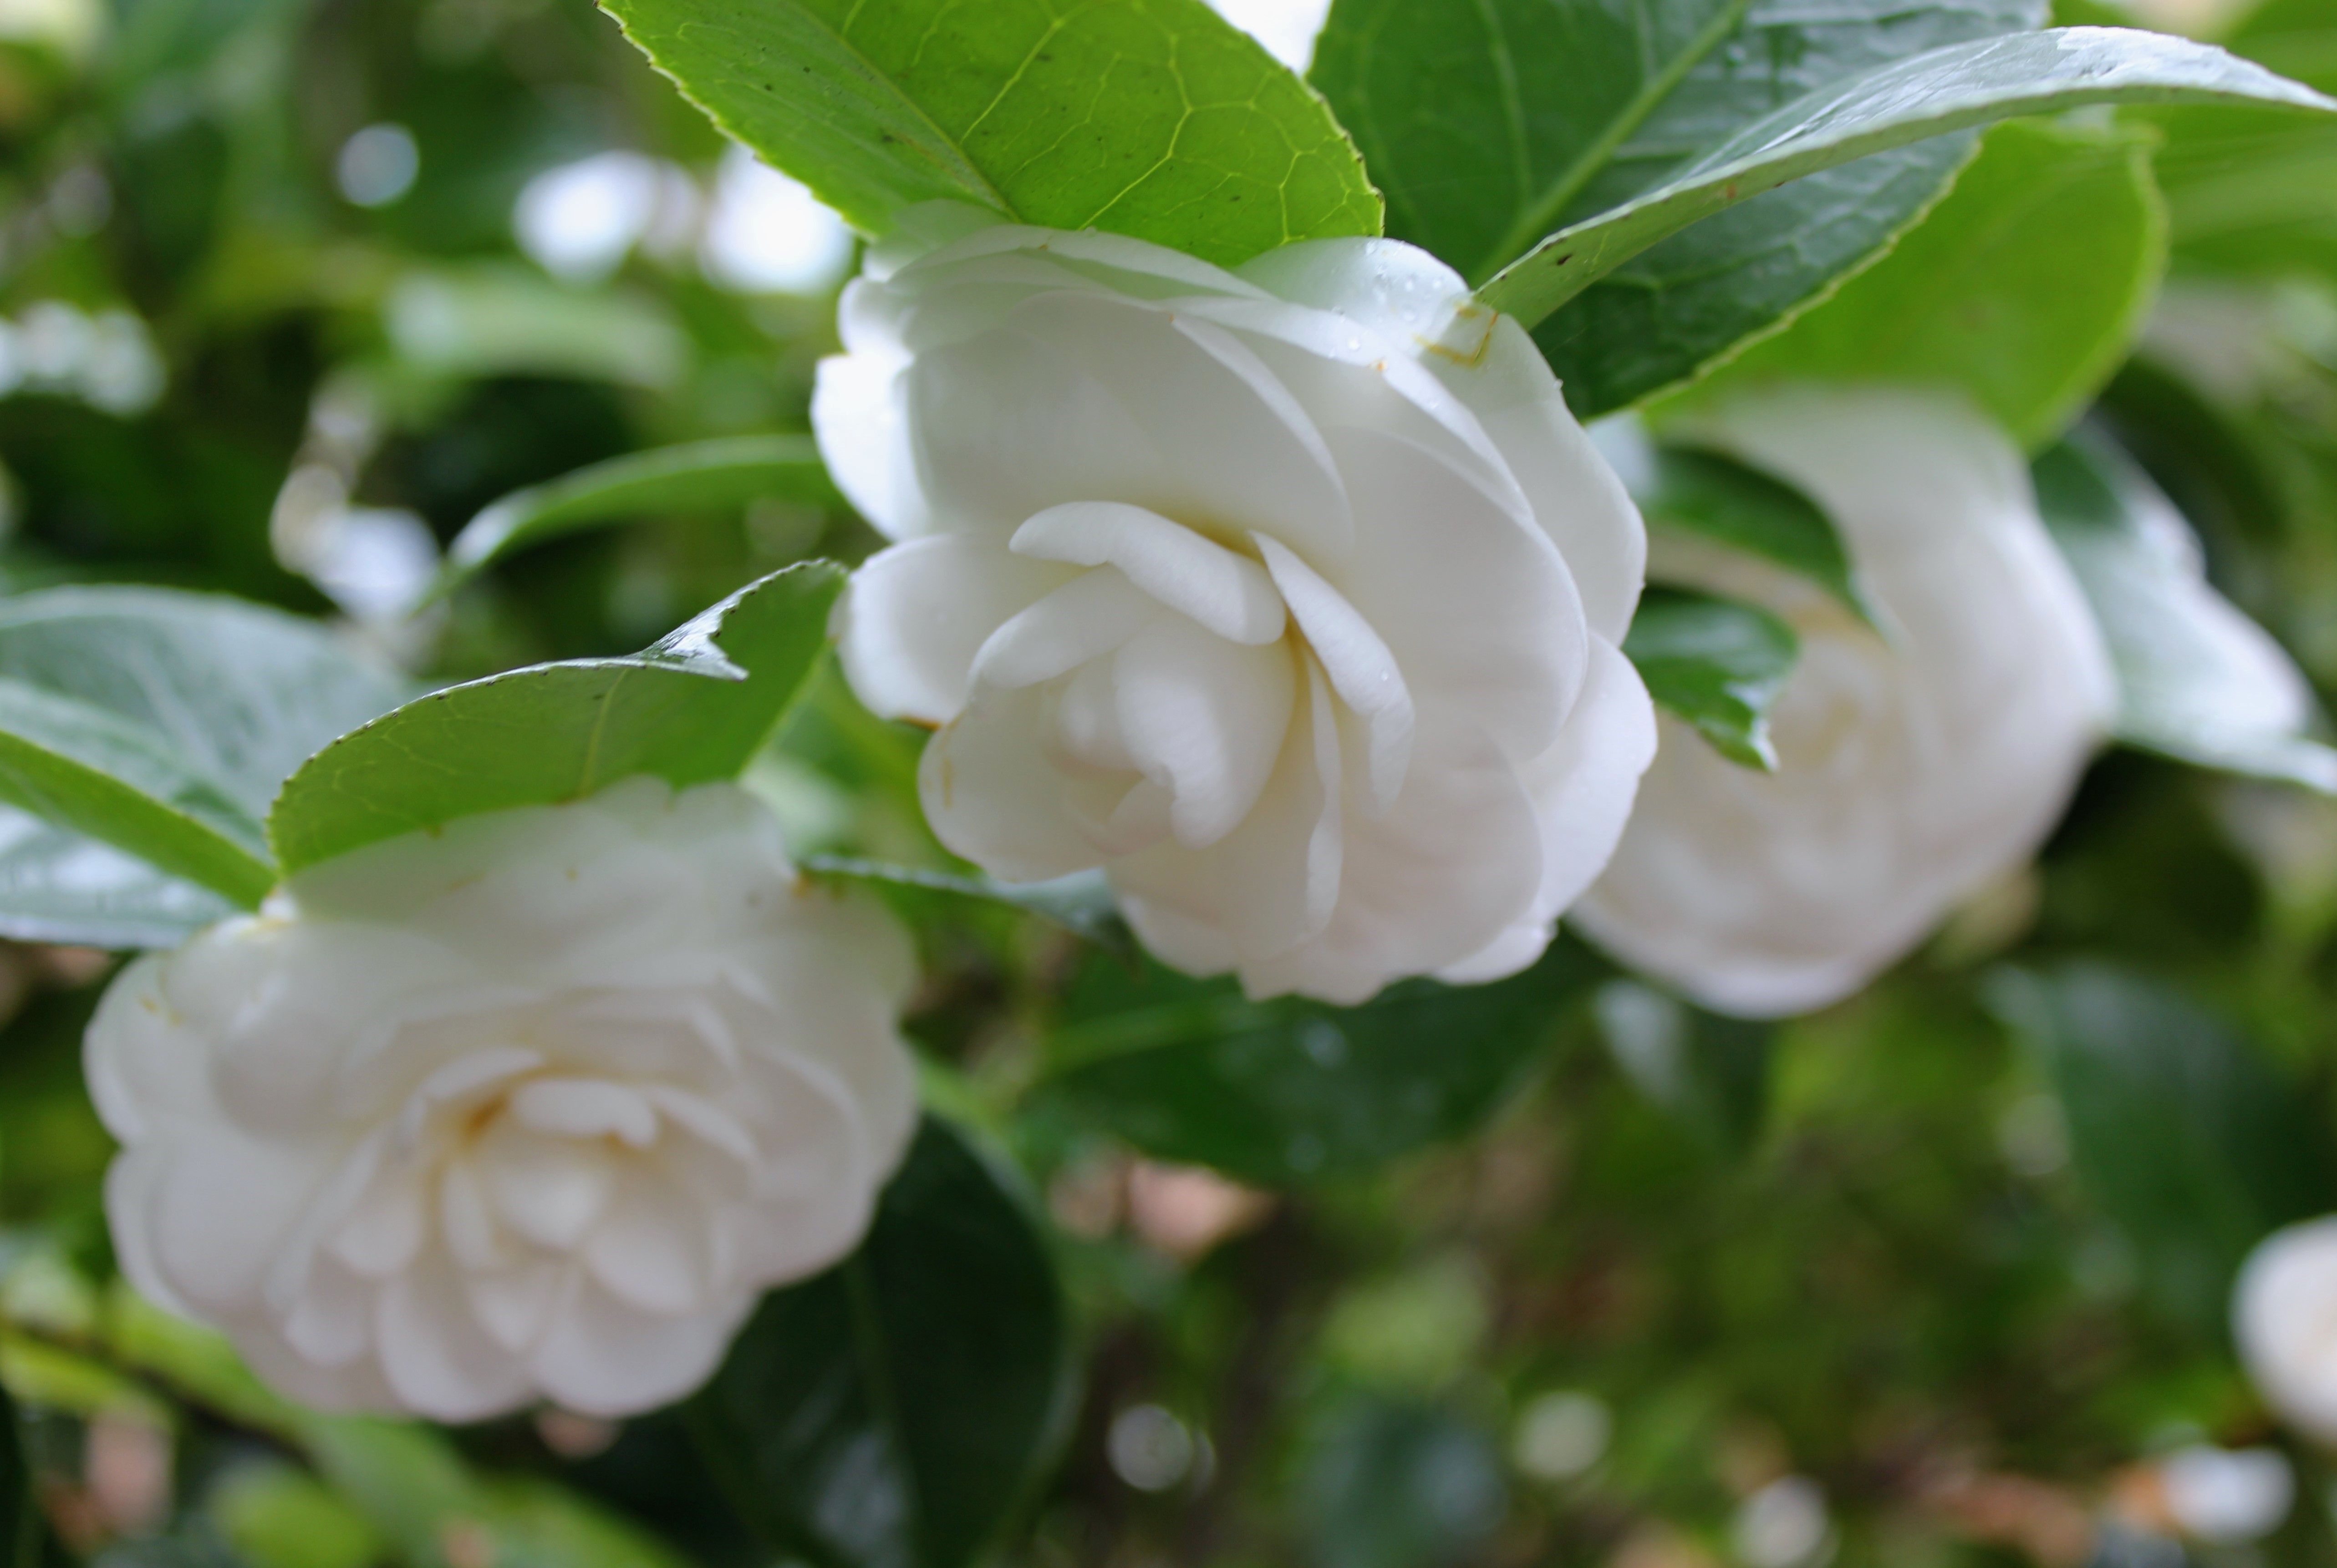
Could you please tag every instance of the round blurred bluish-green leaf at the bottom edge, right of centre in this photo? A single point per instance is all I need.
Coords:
(1399, 1485)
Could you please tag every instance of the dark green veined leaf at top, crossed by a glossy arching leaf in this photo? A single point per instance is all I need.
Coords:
(1597, 104)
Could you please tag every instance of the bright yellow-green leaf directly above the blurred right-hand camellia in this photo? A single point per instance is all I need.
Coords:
(1992, 293)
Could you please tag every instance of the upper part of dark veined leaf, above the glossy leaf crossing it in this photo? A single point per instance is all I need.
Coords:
(1492, 125)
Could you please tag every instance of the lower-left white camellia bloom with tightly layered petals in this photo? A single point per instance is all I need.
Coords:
(529, 1106)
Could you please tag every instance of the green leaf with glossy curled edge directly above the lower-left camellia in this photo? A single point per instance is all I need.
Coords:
(695, 707)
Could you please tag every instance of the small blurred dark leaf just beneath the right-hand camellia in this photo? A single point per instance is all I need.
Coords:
(1707, 1071)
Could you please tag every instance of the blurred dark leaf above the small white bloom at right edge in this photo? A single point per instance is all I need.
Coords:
(2177, 1128)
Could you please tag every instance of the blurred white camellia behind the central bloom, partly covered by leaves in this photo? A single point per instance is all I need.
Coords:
(1915, 765)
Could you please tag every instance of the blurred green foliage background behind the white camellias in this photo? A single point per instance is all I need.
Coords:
(1955, 1251)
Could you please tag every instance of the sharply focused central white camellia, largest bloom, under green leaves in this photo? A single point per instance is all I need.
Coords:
(1287, 595)
